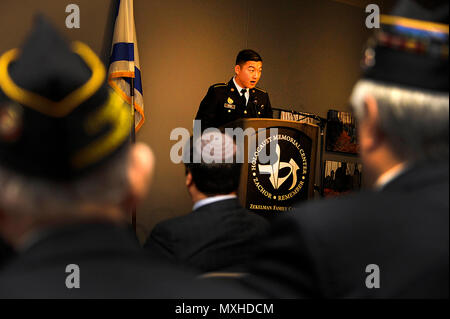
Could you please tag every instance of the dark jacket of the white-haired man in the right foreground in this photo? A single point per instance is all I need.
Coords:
(323, 248)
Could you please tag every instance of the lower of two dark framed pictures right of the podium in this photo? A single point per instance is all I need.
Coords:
(341, 178)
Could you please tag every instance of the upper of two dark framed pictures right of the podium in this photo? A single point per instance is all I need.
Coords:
(341, 133)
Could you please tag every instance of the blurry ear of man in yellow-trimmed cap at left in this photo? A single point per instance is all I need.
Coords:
(140, 170)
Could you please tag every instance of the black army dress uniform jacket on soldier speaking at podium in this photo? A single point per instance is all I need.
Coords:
(224, 104)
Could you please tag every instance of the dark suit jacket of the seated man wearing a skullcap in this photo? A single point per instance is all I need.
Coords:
(218, 236)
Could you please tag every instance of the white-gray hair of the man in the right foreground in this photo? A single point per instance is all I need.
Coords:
(414, 121)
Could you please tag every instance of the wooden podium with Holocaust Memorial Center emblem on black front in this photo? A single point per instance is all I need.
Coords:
(277, 182)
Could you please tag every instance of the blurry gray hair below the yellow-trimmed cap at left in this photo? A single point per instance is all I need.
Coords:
(22, 195)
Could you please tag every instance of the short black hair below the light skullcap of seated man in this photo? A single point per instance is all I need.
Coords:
(214, 178)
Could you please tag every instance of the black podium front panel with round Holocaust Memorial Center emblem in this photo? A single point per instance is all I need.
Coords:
(278, 180)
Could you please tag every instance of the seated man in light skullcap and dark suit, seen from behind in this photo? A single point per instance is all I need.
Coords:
(218, 234)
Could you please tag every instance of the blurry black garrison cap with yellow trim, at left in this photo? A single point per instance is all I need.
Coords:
(58, 118)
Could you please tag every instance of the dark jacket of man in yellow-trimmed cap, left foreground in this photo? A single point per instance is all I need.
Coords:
(111, 265)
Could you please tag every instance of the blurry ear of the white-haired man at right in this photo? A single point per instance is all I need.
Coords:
(370, 135)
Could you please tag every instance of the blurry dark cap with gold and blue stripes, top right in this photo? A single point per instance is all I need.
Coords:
(411, 47)
